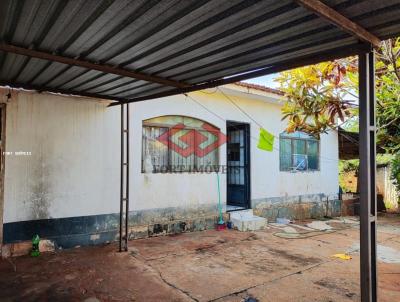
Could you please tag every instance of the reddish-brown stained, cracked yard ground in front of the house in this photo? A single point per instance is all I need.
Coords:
(211, 266)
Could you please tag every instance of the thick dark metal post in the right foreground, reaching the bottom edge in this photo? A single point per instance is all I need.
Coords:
(368, 208)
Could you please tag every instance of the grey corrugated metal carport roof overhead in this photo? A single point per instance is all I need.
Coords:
(190, 42)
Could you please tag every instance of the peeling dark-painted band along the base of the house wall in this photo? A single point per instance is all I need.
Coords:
(98, 229)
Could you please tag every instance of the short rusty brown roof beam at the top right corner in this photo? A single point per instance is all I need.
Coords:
(339, 20)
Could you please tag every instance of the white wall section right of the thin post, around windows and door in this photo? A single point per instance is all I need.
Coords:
(267, 180)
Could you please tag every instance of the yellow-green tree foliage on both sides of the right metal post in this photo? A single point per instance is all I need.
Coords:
(318, 95)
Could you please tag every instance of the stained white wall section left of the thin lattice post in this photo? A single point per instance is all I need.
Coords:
(73, 169)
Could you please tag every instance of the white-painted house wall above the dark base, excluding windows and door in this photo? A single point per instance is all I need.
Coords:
(75, 155)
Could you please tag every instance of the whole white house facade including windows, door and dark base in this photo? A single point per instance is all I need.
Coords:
(61, 164)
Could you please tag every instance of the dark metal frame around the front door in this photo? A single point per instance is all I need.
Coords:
(247, 148)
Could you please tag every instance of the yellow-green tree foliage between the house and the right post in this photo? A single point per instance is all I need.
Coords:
(316, 96)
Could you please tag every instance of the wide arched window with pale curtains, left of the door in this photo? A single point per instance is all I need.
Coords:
(188, 144)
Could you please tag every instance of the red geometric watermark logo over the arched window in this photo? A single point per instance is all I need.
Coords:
(195, 142)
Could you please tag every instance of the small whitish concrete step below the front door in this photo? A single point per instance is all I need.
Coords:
(245, 221)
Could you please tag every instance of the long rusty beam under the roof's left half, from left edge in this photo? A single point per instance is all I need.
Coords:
(89, 65)
